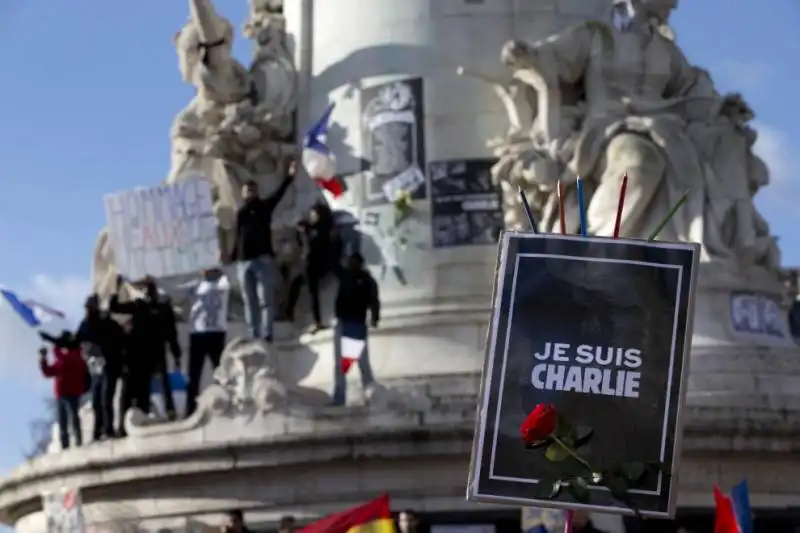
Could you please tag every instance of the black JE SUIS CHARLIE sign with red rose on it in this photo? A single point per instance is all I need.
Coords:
(584, 377)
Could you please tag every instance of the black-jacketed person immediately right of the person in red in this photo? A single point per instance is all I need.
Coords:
(105, 338)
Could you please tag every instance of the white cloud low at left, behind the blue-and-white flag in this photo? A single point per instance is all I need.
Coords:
(18, 342)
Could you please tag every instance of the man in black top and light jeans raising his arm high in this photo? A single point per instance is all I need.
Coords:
(254, 254)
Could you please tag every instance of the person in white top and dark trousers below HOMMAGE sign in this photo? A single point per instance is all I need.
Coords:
(208, 320)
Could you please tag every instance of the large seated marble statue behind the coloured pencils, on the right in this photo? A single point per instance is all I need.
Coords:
(605, 98)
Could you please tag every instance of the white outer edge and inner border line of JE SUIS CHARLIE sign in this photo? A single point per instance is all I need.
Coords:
(473, 489)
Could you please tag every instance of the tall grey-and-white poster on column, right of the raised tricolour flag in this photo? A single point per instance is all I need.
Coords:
(393, 134)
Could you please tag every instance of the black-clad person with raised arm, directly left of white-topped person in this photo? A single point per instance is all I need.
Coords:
(152, 328)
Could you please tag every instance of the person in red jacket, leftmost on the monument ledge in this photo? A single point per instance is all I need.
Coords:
(70, 374)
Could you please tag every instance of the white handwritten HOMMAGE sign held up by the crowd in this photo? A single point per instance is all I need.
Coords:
(163, 231)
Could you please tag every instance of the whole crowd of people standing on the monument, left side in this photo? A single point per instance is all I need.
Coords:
(128, 342)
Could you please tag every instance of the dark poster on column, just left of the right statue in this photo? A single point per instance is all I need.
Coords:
(465, 205)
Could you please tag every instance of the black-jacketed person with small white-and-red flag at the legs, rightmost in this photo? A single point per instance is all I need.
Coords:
(358, 293)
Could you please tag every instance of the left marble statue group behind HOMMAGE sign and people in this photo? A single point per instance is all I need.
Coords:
(238, 126)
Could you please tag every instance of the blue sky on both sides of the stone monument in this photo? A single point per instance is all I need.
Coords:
(91, 88)
